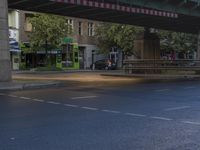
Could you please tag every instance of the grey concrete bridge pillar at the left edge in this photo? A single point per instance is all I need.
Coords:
(5, 65)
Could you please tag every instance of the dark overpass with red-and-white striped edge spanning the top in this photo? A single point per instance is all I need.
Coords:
(176, 15)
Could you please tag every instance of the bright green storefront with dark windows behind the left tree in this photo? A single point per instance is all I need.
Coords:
(65, 58)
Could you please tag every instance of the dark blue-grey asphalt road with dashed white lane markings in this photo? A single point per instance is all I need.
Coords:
(101, 115)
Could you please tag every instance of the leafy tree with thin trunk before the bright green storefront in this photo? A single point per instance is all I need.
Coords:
(47, 33)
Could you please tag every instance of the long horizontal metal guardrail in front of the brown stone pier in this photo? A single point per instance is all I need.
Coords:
(160, 66)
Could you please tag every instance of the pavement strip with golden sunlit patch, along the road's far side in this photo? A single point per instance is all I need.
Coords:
(41, 80)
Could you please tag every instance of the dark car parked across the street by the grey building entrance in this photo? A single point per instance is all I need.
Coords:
(104, 64)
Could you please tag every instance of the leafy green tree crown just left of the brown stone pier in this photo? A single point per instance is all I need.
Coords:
(116, 35)
